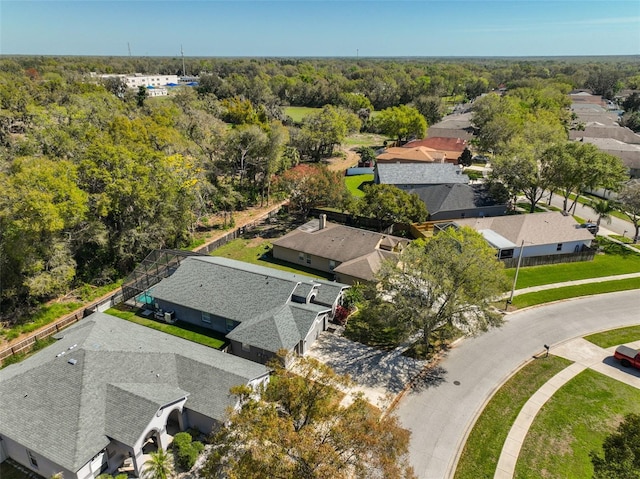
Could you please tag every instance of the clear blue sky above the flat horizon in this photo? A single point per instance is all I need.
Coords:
(321, 28)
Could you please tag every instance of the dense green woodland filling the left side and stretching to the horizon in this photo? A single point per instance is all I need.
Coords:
(93, 176)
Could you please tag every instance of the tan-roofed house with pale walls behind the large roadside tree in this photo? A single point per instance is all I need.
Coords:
(532, 235)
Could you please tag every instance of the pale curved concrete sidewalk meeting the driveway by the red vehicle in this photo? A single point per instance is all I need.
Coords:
(585, 355)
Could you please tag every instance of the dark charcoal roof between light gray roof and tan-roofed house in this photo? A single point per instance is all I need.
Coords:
(454, 197)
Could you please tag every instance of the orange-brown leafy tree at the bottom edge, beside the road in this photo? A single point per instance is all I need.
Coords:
(297, 427)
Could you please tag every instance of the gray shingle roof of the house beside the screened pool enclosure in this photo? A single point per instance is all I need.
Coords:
(257, 297)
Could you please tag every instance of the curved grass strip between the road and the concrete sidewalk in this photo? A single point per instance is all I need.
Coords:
(484, 444)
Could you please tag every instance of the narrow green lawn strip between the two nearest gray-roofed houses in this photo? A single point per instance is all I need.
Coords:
(181, 329)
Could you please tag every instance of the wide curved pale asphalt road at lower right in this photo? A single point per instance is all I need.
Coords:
(441, 410)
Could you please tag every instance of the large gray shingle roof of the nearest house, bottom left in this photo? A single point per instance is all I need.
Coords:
(63, 411)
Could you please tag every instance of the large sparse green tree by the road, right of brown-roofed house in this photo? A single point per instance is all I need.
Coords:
(449, 279)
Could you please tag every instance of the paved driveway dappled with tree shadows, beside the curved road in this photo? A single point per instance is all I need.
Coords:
(380, 375)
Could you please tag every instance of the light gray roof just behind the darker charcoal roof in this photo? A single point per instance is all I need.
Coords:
(419, 174)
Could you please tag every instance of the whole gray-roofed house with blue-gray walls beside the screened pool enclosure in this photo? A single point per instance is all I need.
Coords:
(260, 310)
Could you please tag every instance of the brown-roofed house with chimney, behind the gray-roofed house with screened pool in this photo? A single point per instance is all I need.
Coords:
(353, 255)
